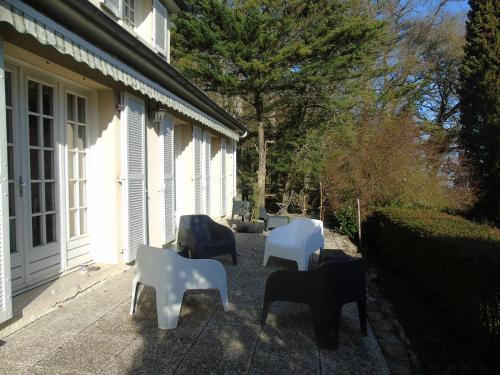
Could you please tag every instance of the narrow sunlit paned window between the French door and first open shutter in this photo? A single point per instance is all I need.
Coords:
(76, 138)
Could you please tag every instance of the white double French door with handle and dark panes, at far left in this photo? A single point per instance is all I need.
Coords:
(32, 178)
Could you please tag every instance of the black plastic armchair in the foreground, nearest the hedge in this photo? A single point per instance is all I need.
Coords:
(326, 290)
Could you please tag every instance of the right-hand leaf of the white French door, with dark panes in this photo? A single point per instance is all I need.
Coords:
(44, 258)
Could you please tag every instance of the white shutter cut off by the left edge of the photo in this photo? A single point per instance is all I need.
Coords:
(5, 283)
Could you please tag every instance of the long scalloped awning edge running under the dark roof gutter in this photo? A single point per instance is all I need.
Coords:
(26, 20)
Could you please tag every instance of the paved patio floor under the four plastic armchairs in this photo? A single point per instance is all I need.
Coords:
(94, 334)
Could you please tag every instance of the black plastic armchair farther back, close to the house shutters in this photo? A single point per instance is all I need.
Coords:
(204, 238)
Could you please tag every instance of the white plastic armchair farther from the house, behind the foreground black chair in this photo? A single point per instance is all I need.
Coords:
(295, 241)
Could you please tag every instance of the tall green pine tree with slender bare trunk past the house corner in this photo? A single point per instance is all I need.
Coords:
(256, 50)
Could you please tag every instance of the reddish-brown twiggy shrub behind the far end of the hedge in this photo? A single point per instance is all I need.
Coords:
(384, 161)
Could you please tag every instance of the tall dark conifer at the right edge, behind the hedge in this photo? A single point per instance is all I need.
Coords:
(480, 102)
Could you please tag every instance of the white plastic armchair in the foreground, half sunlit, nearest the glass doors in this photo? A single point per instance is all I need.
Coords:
(171, 275)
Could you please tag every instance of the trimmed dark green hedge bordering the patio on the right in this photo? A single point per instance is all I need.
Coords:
(450, 261)
